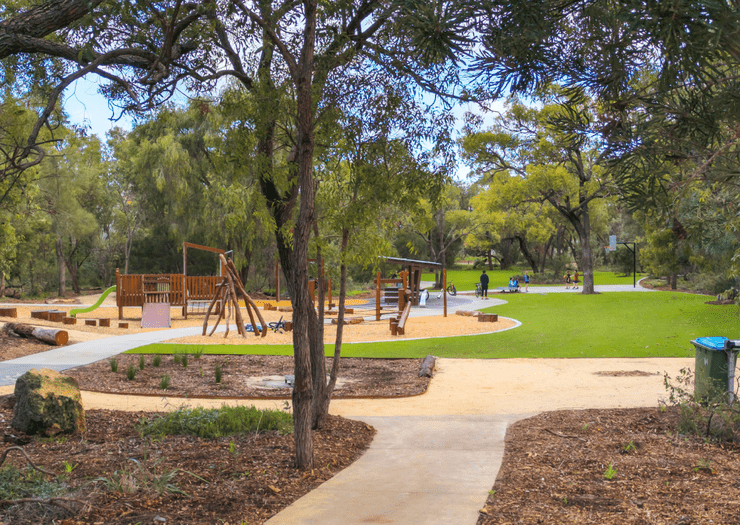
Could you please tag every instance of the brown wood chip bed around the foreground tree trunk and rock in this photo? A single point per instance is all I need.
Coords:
(242, 479)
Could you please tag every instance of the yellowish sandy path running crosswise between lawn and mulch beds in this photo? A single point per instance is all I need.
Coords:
(479, 387)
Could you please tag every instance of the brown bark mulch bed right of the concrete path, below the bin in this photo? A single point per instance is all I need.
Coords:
(612, 467)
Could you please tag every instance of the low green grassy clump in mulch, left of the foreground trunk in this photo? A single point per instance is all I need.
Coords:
(216, 422)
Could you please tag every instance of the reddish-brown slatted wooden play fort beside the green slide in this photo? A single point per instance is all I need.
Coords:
(192, 293)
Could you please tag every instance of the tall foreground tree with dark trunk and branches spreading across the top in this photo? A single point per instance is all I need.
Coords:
(305, 48)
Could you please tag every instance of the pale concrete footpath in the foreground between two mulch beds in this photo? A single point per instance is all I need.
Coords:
(419, 470)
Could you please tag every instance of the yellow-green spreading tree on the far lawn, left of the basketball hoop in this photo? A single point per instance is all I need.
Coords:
(553, 150)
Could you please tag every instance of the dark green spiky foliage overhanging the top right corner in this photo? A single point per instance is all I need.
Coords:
(665, 74)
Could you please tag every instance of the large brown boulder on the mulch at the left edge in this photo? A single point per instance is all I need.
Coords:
(47, 403)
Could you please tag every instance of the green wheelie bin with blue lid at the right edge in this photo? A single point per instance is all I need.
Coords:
(711, 365)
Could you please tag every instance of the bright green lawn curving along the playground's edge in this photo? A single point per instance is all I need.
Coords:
(657, 324)
